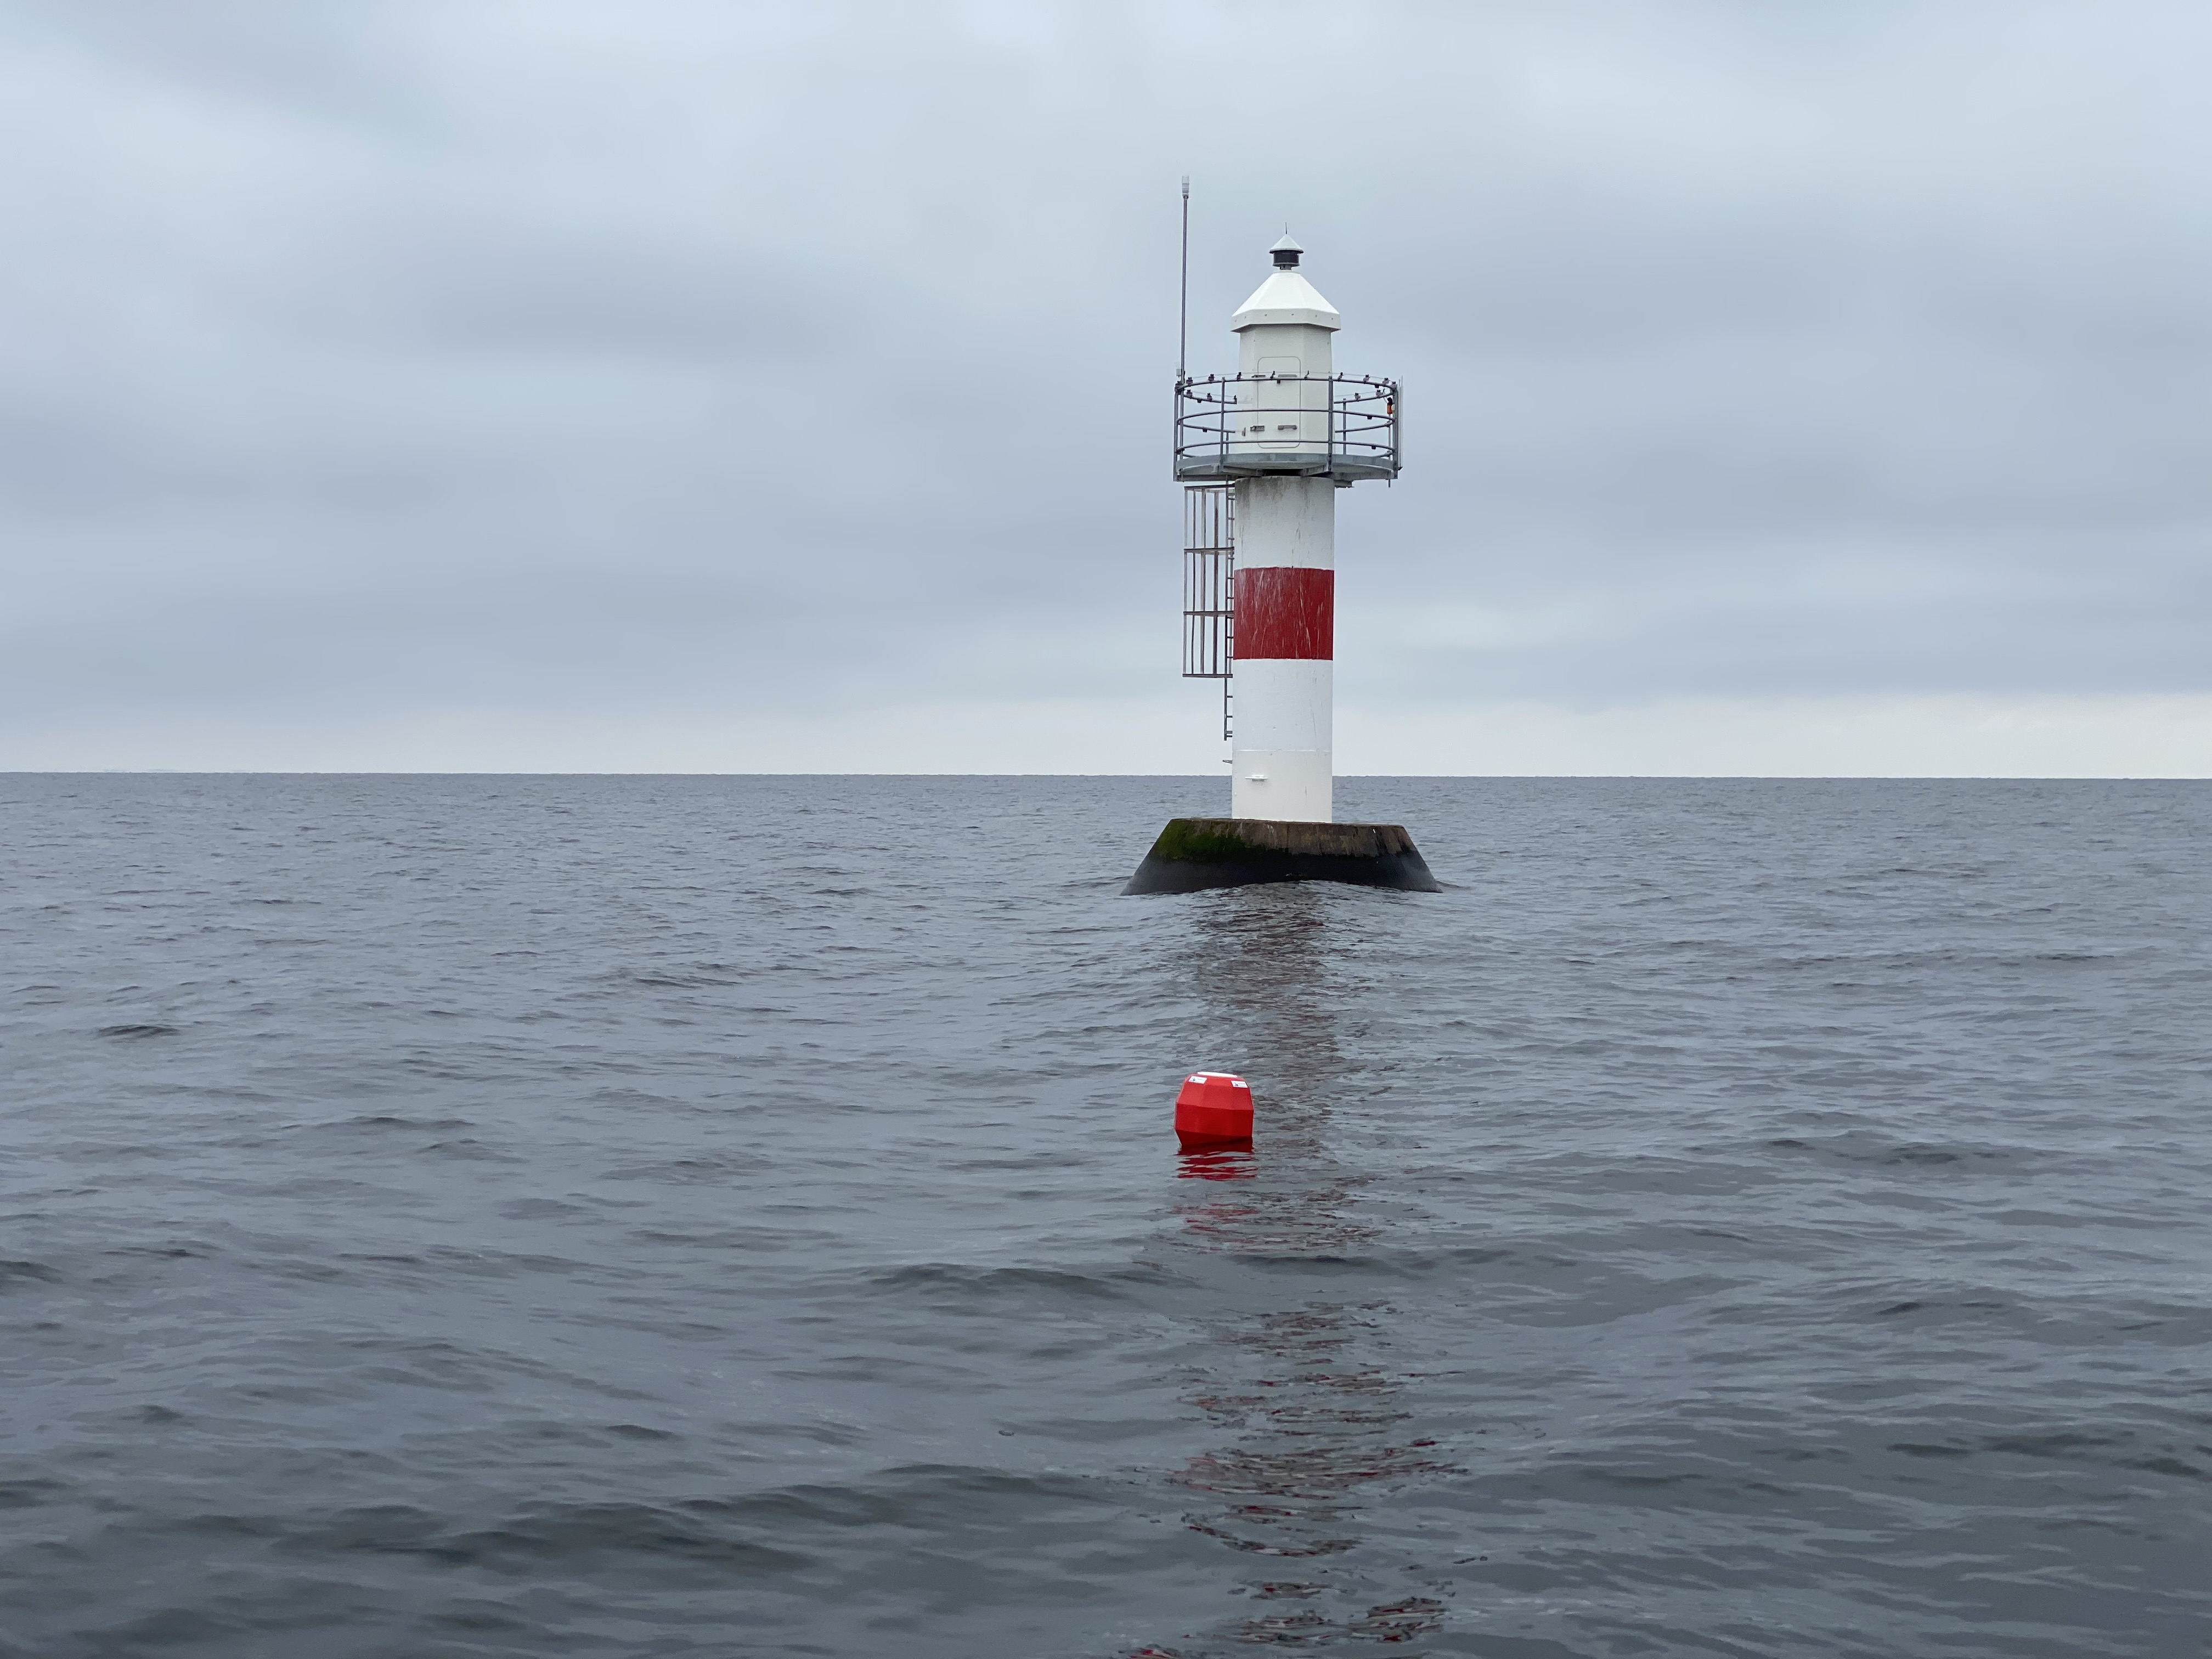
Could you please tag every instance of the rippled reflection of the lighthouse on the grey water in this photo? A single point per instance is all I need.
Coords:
(1315, 1430)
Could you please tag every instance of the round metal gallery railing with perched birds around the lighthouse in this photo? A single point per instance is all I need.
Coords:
(1315, 426)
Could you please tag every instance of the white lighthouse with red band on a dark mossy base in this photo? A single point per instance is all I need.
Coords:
(1262, 455)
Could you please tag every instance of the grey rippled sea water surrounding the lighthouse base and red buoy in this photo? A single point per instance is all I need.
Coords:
(625, 1215)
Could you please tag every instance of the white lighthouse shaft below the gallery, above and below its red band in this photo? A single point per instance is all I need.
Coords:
(1284, 749)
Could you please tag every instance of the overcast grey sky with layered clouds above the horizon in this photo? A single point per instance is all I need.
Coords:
(702, 386)
